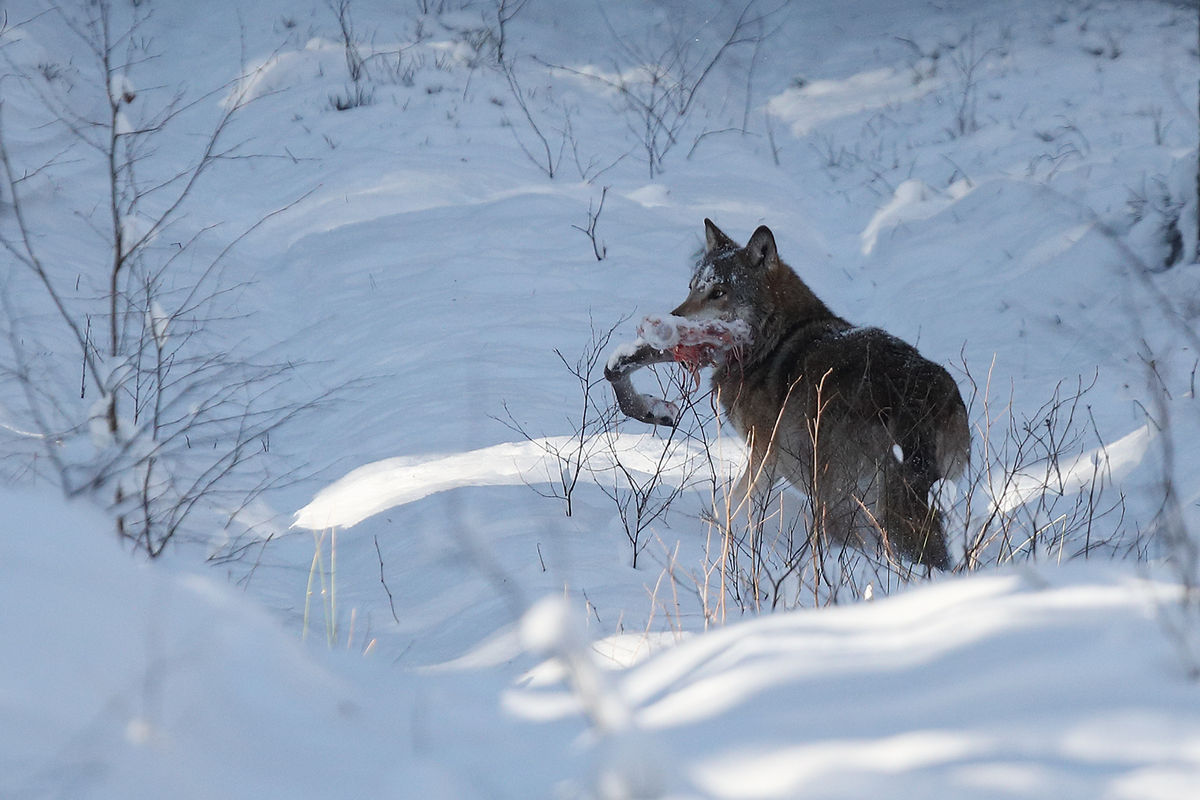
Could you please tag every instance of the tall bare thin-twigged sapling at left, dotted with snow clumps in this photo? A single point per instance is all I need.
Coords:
(134, 394)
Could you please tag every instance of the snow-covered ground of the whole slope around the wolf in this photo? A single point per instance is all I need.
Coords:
(409, 615)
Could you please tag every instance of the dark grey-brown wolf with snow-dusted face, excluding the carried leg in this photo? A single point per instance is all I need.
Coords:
(853, 417)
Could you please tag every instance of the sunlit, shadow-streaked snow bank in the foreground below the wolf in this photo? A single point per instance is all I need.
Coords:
(919, 696)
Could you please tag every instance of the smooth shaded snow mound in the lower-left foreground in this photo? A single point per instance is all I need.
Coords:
(122, 679)
